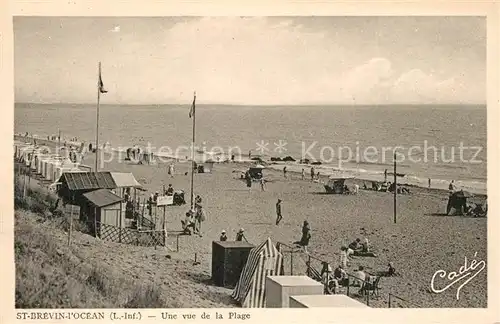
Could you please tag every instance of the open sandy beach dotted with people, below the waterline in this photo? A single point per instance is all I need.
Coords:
(422, 241)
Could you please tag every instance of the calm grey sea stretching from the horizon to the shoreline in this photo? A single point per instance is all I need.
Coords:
(441, 143)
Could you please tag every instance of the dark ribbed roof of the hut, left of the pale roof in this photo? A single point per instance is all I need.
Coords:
(88, 180)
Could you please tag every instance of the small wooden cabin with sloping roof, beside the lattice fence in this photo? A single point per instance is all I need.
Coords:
(102, 210)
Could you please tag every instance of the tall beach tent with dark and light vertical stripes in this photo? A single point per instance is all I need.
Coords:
(264, 260)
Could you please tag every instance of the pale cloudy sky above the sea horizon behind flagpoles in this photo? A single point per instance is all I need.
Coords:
(251, 60)
